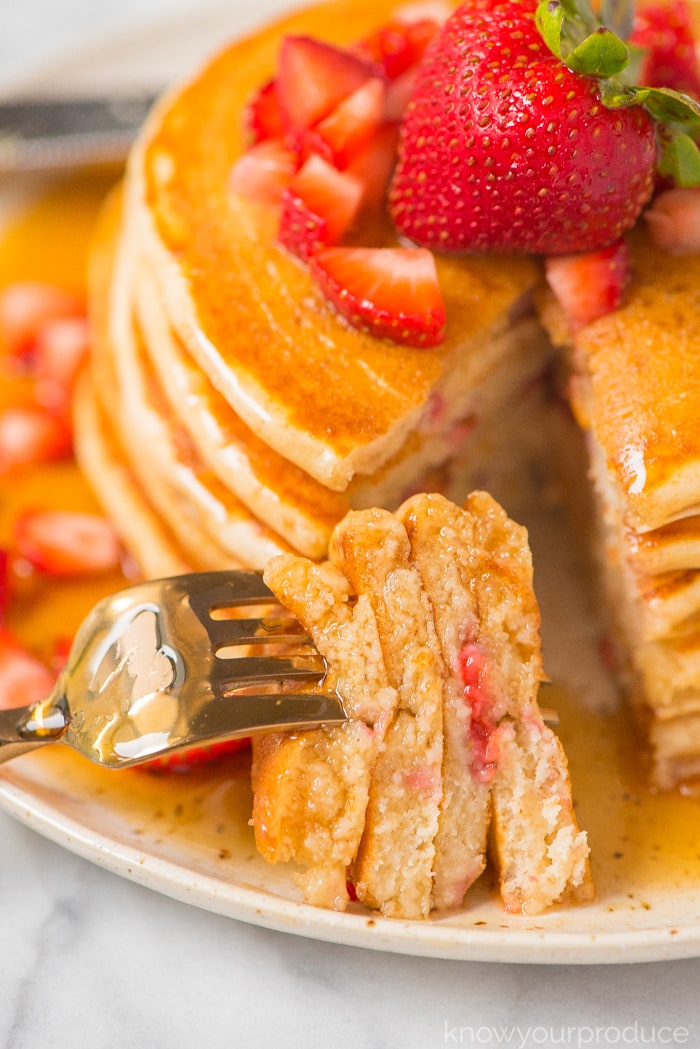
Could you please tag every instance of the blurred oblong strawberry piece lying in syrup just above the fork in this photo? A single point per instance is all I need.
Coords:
(68, 544)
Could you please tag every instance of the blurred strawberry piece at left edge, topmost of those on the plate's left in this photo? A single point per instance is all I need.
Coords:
(26, 307)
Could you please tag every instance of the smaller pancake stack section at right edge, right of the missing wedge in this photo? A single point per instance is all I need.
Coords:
(635, 390)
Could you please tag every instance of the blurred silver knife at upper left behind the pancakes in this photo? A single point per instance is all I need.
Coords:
(55, 134)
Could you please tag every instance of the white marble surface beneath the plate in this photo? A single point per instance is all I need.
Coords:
(92, 961)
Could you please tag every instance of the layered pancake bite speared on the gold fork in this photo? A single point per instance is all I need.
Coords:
(430, 626)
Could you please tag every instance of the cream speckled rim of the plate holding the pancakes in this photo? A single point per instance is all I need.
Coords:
(434, 938)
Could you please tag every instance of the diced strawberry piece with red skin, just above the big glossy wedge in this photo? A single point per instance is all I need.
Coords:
(319, 207)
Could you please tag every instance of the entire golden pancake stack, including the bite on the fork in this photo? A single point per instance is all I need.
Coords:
(231, 416)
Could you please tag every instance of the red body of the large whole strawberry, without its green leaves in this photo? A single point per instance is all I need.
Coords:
(505, 148)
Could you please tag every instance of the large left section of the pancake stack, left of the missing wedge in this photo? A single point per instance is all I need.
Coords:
(247, 415)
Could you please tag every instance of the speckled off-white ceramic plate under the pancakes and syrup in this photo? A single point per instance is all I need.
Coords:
(188, 837)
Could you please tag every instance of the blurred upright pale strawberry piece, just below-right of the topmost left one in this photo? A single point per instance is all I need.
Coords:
(62, 346)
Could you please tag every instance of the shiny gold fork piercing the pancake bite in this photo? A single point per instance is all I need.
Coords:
(159, 668)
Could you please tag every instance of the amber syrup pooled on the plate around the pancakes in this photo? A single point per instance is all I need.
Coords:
(644, 844)
